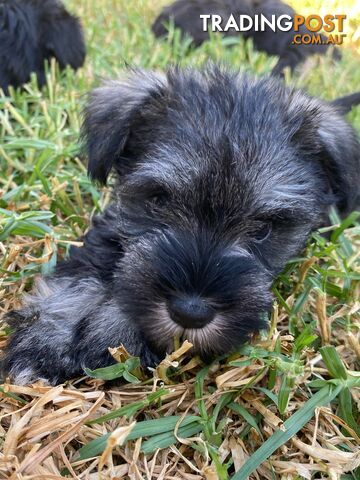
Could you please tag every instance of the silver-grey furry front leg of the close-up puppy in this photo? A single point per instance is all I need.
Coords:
(68, 325)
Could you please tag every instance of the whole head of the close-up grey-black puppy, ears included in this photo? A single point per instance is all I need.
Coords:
(220, 179)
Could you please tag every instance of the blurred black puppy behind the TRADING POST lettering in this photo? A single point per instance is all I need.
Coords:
(185, 14)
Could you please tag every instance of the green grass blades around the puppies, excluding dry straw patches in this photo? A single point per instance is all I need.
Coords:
(46, 202)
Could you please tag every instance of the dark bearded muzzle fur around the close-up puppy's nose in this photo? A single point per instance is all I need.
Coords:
(158, 270)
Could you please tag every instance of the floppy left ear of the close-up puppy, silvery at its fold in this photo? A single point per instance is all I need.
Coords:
(109, 118)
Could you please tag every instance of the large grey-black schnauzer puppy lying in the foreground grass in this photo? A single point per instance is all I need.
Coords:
(220, 179)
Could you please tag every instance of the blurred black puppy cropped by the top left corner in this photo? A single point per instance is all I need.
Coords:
(32, 31)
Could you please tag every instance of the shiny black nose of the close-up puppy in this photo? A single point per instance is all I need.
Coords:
(190, 312)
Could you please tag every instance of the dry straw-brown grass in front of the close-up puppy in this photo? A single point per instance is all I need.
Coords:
(44, 427)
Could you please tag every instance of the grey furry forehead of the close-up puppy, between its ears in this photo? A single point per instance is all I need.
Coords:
(226, 132)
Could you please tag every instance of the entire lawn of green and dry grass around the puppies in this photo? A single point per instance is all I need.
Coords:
(284, 407)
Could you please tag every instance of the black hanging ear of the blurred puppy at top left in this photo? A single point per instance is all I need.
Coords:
(63, 38)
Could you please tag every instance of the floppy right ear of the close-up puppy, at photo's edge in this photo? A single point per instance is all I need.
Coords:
(326, 137)
